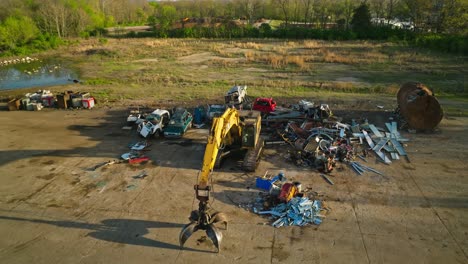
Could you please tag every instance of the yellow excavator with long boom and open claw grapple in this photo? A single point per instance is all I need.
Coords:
(233, 130)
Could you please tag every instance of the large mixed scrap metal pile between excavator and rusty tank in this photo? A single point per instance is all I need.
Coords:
(319, 140)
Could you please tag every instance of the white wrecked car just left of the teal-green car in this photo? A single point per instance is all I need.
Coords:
(154, 123)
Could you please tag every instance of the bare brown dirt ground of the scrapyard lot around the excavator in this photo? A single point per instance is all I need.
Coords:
(55, 209)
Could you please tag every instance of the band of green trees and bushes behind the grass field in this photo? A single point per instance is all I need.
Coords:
(28, 25)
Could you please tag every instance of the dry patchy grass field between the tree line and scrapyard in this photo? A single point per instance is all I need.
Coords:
(154, 71)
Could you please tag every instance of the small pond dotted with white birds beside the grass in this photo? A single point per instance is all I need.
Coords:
(35, 74)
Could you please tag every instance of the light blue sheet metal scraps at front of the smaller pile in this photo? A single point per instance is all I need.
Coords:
(299, 211)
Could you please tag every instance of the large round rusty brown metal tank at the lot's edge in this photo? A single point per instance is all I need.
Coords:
(418, 106)
